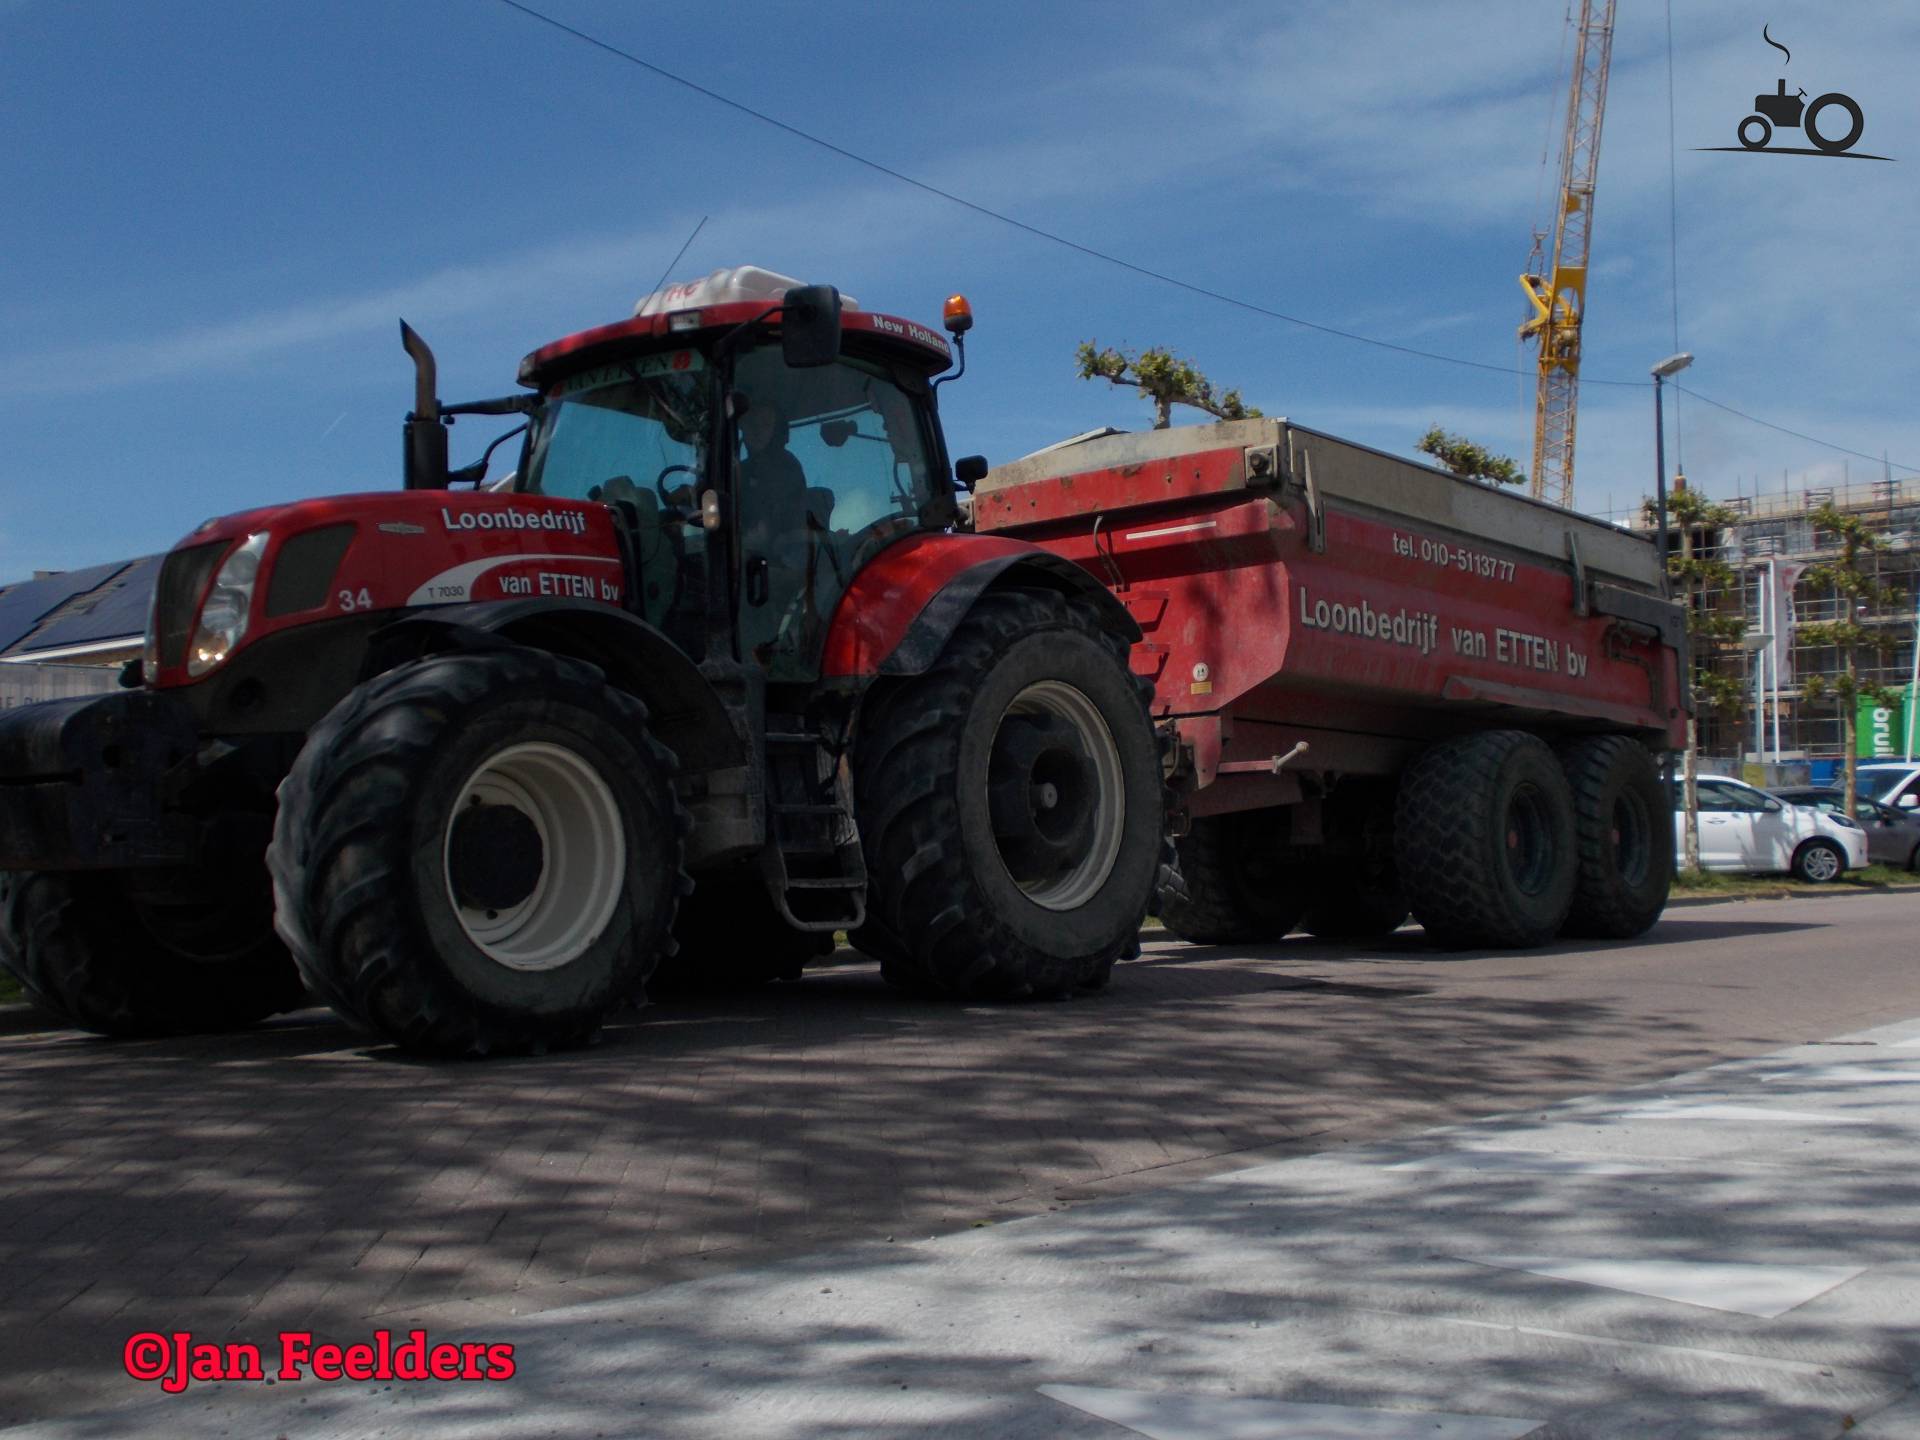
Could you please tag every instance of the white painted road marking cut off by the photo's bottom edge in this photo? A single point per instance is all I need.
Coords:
(1247, 1418)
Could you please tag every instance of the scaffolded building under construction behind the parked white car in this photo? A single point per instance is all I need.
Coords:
(1769, 548)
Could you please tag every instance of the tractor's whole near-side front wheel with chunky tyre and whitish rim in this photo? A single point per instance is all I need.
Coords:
(481, 853)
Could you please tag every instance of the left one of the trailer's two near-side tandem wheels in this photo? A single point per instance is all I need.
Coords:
(1485, 840)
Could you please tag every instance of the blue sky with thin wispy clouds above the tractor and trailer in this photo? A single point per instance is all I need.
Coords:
(212, 216)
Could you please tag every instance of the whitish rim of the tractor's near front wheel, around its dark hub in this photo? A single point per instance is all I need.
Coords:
(583, 857)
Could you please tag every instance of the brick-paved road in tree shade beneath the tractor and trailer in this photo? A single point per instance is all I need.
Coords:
(293, 1178)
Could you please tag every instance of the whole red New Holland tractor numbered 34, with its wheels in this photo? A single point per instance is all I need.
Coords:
(711, 679)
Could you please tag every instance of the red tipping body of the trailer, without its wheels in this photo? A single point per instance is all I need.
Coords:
(1297, 588)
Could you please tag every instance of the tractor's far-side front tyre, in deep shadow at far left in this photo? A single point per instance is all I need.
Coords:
(155, 953)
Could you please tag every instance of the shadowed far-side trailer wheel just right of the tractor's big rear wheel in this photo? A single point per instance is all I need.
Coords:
(1232, 882)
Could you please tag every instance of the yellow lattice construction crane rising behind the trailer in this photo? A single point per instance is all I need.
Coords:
(1558, 289)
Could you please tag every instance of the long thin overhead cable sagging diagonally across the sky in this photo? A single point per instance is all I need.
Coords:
(1103, 256)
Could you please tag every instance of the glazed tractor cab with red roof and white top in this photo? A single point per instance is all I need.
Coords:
(759, 443)
